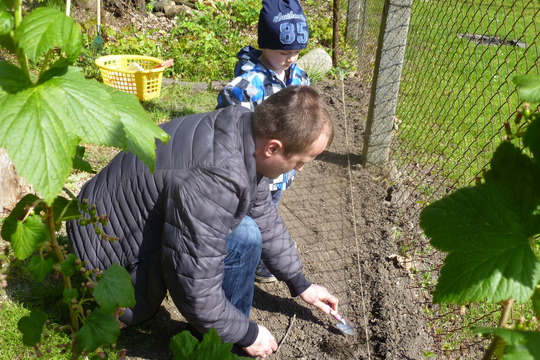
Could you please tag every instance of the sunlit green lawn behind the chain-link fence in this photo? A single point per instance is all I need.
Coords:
(456, 94)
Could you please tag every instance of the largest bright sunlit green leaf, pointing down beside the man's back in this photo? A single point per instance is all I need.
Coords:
(59, 113)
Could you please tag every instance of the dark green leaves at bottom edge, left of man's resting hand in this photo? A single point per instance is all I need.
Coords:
(186, 347)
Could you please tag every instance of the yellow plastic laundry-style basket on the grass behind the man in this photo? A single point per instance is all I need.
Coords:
(116, 72)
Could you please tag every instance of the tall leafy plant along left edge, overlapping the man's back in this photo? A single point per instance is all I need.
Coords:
(48, 109)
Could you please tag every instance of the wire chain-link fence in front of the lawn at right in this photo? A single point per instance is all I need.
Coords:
(455, 94)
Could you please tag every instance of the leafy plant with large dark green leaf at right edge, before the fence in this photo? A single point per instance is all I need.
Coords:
(491, 232)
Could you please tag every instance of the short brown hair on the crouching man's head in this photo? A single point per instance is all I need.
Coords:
(296, 116)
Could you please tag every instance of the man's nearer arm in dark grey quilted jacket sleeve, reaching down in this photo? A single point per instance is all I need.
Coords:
(199, 216)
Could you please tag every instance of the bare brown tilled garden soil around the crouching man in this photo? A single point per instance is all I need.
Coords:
(342, 219)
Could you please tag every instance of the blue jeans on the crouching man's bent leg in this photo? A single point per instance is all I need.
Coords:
(244, 247)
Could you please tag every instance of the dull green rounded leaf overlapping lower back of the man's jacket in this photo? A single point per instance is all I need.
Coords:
(114, 289)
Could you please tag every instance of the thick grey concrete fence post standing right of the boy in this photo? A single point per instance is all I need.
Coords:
(385, 86)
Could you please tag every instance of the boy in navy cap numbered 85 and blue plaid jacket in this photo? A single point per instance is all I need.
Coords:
(282, 33)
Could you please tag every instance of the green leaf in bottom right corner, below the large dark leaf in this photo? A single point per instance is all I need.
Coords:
(519, 345)
